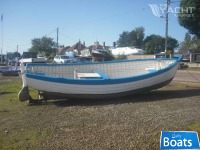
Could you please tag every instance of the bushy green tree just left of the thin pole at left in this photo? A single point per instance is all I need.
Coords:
(43, 44)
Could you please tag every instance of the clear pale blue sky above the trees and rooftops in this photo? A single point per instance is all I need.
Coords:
(85, 20)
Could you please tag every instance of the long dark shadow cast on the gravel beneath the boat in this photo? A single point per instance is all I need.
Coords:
(145, 97)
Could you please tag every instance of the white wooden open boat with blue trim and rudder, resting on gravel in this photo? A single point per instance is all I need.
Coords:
(96, 80)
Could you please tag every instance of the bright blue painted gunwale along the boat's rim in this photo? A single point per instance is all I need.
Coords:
(103, 81)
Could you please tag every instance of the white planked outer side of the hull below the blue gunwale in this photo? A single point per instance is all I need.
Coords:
(99, 89)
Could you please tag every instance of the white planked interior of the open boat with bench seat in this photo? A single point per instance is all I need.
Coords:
(110, 70)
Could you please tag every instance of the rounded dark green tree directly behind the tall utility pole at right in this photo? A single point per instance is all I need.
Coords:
(155, 43)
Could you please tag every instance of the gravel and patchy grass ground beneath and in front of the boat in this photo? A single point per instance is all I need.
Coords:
(125, 123)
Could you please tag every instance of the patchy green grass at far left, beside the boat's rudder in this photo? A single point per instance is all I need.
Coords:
(14, 134)
